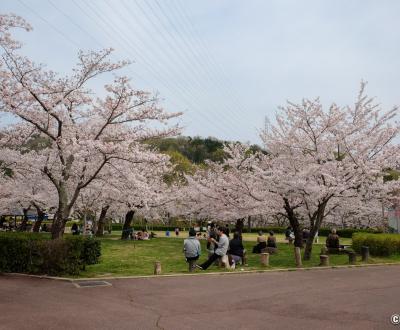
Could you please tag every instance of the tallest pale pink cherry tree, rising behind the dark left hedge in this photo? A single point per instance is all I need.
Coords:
(86, 134)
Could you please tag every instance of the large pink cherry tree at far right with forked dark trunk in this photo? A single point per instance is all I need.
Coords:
(323, 157)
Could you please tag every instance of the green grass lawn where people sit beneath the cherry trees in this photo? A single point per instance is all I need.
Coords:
(127, 258)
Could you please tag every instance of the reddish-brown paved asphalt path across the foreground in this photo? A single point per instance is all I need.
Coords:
(350, 298)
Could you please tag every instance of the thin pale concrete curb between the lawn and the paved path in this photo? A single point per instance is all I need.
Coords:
(258, 271)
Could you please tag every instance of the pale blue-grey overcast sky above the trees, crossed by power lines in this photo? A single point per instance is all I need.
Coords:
(229, 63)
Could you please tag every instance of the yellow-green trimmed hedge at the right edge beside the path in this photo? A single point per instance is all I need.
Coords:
(379, 244)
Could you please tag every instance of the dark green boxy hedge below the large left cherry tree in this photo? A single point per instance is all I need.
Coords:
(36, 254)
